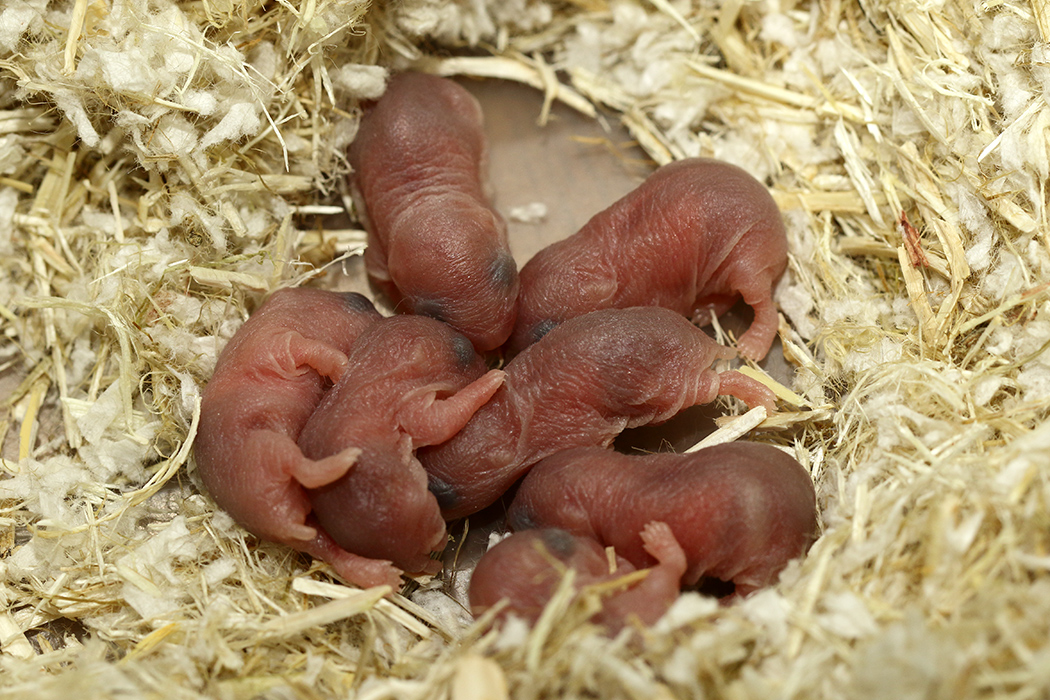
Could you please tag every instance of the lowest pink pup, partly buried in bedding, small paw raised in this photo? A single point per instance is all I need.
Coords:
(527, 568)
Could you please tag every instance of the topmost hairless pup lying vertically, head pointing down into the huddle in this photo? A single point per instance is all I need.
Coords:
(436, 246)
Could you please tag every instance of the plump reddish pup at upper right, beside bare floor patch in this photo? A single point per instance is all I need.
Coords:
(695, 238)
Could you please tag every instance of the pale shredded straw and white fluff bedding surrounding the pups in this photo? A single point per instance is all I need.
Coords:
(162, 165)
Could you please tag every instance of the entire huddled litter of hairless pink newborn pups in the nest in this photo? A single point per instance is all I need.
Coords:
(600, 342)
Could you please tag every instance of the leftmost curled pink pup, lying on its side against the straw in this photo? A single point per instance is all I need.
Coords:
(268, 380)
